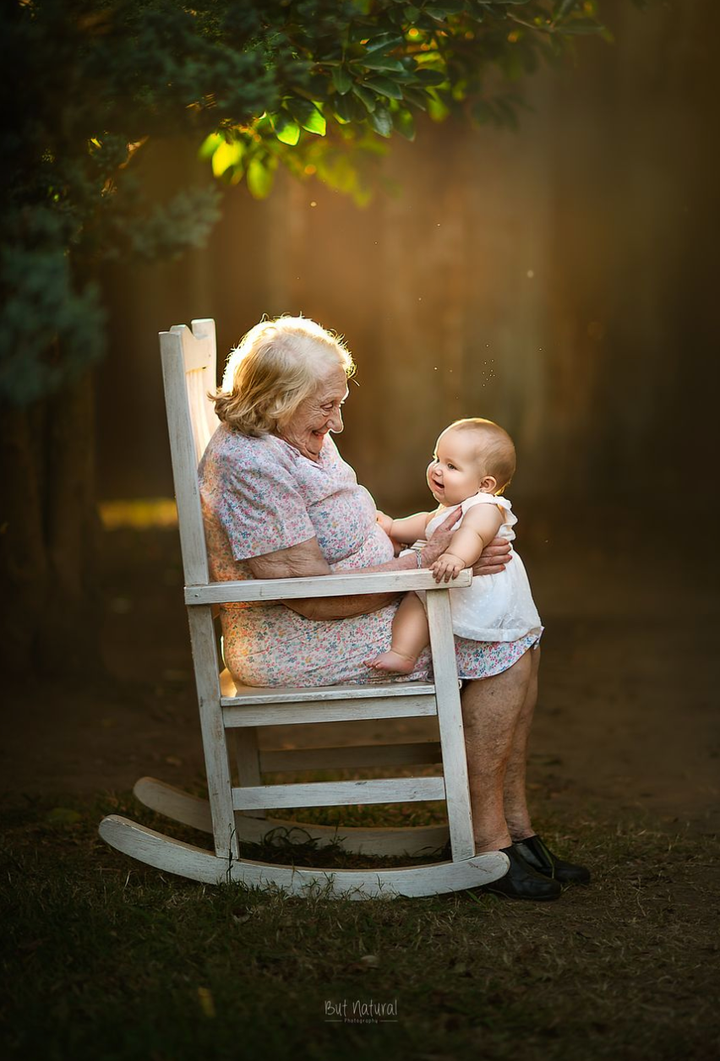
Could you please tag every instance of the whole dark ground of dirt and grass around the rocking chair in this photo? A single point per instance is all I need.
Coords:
(623, 776)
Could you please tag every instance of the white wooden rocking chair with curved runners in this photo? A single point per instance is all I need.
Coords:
(236, 813)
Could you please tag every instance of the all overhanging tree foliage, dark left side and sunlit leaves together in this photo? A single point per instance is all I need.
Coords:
(315, 85)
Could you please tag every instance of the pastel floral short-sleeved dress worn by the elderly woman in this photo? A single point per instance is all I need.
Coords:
(261, 495)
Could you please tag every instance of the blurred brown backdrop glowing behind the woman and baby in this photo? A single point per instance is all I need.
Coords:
(559, 281)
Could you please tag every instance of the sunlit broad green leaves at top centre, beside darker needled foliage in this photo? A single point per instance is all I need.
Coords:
(370, 68)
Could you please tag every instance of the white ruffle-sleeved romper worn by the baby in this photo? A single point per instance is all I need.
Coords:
(496, 607)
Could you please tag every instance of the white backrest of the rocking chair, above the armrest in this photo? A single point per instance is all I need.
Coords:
(189, 373)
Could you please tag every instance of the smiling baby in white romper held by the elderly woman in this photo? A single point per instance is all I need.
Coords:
(475, 461)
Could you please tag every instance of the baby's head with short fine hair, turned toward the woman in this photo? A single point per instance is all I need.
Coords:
(471, 457)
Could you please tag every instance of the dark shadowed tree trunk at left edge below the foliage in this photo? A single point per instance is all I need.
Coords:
(50, 536)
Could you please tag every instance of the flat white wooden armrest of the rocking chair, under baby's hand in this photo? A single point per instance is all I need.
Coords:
(291, 589)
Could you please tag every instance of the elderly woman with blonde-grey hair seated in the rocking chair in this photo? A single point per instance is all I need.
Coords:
(280, 502)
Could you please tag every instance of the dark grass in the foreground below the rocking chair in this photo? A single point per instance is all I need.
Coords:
(107, 961)
